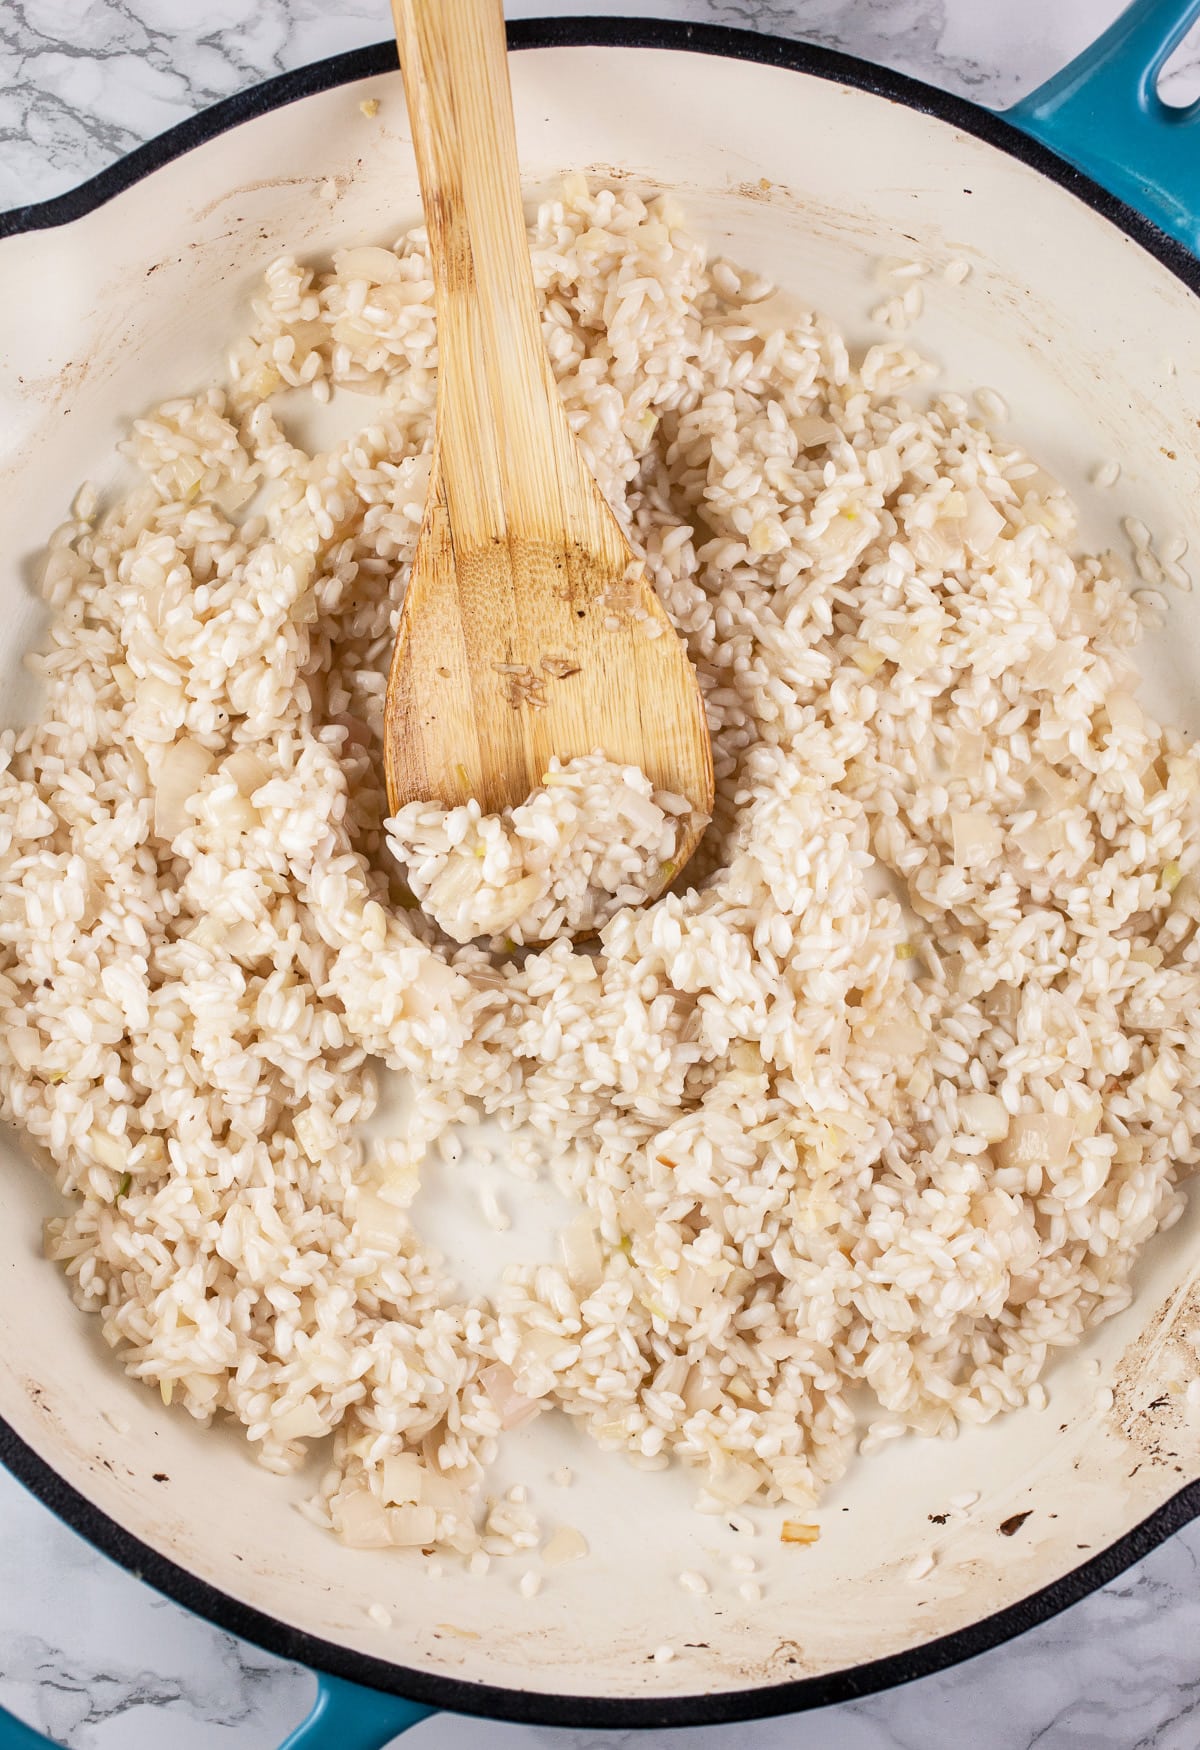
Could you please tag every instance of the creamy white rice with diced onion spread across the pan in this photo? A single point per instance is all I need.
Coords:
(891, 1100)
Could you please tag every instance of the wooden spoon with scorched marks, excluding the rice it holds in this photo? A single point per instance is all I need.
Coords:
(529, 627)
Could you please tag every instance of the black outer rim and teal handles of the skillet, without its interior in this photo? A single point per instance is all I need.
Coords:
(1098, 130)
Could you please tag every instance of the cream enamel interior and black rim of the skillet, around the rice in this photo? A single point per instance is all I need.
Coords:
(809, 167)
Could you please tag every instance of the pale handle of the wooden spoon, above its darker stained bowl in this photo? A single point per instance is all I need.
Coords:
(505, 449)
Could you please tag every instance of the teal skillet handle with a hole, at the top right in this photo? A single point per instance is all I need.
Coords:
(1105, 116)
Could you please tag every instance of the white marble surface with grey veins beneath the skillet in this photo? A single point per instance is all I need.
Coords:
(90, 1655)
